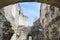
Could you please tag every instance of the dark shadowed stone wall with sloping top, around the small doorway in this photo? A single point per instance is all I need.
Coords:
(36, 31)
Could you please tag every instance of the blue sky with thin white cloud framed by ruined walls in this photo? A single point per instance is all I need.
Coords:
(31, 10)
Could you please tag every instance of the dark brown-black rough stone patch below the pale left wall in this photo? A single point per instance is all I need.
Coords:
(7, 31)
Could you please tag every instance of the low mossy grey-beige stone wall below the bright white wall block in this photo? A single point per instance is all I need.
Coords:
(23, 33)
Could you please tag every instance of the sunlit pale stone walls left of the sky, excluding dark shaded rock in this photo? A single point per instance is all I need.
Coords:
(17, 19)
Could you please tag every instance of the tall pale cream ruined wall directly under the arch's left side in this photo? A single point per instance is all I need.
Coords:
(12, 14)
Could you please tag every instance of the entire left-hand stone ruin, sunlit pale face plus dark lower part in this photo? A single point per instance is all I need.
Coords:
(11, 13)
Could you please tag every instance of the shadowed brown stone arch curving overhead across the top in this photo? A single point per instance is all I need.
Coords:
(8, 2)
